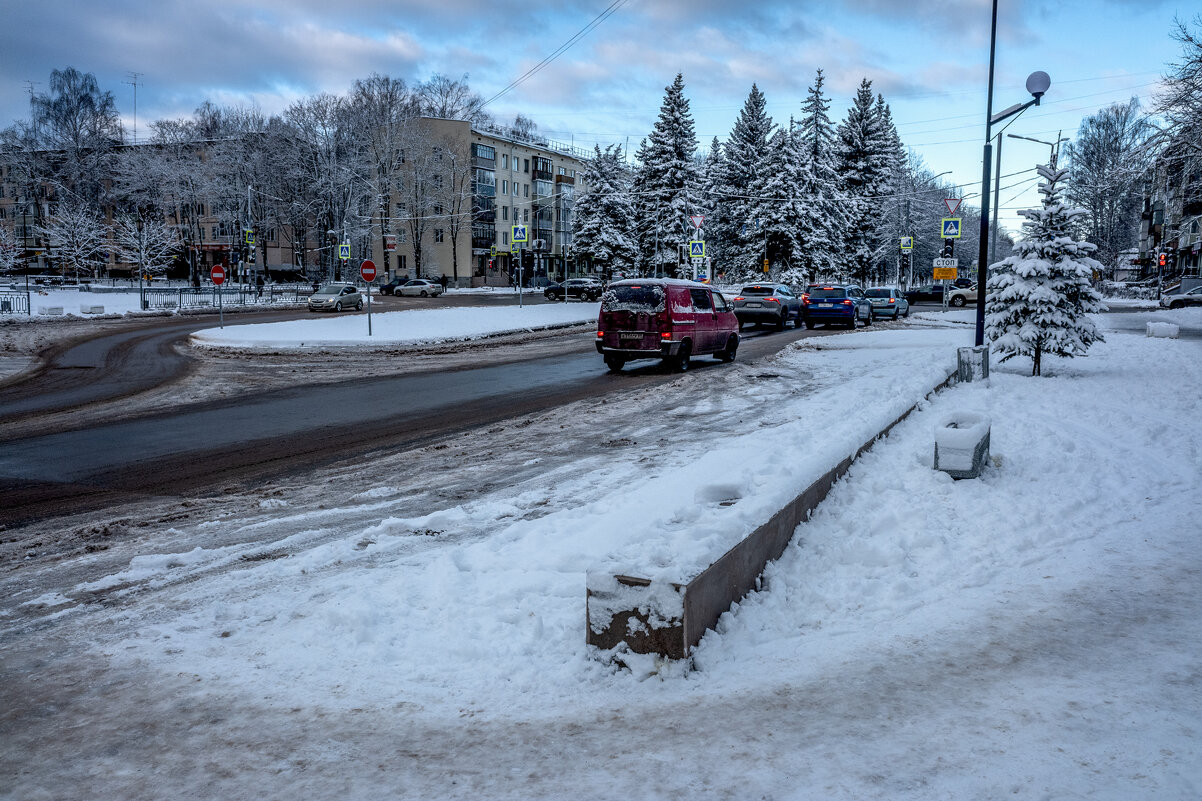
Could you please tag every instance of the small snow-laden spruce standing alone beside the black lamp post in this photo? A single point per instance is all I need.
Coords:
(1039, 299)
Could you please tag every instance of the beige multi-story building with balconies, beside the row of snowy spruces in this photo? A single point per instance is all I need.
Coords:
(483, 186)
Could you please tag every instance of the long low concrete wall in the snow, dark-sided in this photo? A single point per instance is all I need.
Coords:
(669, 619)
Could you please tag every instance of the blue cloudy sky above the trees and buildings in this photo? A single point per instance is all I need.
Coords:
(930, 58)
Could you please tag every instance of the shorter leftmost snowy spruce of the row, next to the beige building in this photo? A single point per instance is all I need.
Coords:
(604, 213)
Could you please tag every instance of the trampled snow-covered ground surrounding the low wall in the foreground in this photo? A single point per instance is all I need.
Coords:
(415, 628)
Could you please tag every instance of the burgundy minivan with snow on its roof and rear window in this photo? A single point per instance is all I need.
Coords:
(668, 319)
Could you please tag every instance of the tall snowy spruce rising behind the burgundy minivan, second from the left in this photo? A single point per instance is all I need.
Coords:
(665, 183)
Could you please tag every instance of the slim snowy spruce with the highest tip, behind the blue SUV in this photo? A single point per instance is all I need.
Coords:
(822, 228)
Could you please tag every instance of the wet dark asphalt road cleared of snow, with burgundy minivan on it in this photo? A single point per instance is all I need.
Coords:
(273, 434)
